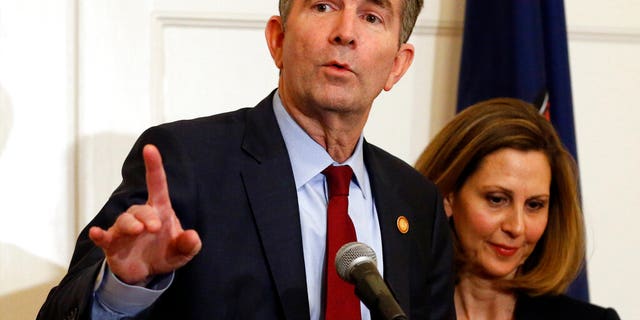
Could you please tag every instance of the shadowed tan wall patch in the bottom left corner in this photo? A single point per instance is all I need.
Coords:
(17, 268)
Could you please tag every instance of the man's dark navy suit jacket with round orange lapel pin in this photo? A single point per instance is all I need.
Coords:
(230, 178)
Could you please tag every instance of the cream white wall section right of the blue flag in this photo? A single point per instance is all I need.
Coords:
(604, 49)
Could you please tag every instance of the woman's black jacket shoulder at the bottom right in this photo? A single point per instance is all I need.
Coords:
(560, 307)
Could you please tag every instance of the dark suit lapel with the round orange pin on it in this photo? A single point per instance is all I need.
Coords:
(390, 205)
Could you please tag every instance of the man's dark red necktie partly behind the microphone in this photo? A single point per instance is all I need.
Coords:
(341, 302)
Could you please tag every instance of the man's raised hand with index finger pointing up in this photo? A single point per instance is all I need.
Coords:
(147, 240)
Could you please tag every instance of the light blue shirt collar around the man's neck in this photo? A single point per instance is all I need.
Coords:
(308, 158)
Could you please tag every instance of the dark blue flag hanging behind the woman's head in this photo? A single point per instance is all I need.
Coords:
(518, 48)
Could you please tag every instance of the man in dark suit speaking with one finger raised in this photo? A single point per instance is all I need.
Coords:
(230, 223)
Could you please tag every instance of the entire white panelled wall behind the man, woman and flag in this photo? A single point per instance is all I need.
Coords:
(79, 80)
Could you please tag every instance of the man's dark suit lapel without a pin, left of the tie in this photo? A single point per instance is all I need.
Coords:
(270, 187)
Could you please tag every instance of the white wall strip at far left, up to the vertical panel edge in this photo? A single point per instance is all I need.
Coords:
(37, 224)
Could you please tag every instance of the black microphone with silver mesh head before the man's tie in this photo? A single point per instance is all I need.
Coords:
(356, 264)
